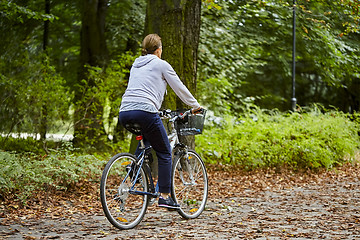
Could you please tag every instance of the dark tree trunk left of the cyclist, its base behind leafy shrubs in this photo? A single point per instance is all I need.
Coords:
(88, 128)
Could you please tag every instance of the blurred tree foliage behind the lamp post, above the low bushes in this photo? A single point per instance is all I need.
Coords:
(249, 43)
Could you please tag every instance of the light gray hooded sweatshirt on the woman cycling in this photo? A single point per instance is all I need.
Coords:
(149, 77)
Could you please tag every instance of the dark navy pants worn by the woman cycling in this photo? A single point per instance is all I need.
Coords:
(153, 132)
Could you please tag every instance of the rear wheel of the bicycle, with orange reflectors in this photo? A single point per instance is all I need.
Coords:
(123, 209)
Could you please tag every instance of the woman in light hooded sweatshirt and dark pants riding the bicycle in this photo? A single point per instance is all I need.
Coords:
(142, 100)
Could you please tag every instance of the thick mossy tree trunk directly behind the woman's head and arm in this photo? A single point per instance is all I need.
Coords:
(178, 24)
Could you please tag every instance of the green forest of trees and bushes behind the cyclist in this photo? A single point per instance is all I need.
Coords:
(243, 75)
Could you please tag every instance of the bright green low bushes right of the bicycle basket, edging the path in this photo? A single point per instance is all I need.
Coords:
(308, 139)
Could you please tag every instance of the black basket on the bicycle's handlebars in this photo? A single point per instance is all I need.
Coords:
(191, 125)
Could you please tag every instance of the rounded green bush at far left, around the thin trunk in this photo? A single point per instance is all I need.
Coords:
(25, 95)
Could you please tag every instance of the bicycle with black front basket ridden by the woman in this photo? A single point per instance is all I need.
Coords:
(127, 186)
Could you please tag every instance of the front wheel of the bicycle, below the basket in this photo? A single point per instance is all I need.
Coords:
(190, 184)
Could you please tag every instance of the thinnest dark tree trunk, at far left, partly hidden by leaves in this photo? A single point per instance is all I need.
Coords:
(44, 111)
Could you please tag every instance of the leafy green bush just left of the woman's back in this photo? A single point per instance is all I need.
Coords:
(101, 97)
